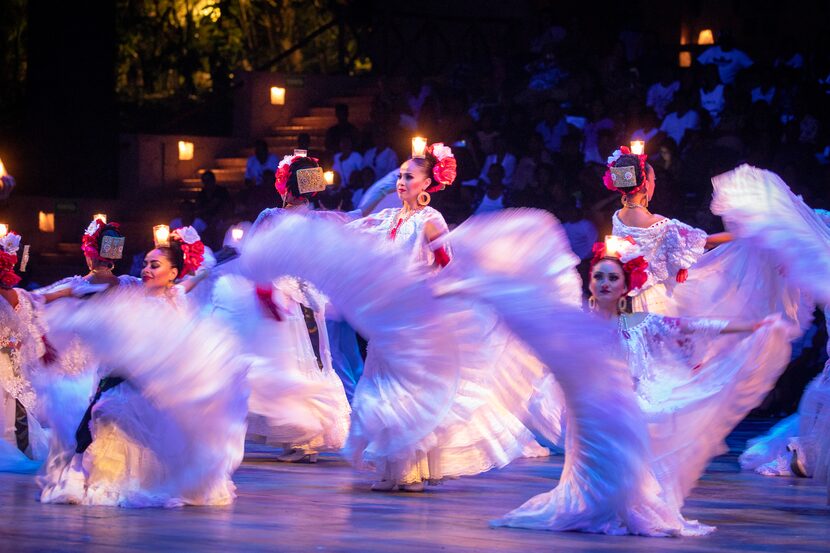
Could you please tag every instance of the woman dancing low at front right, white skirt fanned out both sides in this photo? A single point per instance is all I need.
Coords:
(686, 422)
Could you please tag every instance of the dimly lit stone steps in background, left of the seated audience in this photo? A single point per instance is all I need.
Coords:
(230, 169)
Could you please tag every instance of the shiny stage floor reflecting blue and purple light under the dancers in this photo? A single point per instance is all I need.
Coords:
(328, 507)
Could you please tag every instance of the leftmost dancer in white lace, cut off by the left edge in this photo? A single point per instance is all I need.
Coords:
(23, 349)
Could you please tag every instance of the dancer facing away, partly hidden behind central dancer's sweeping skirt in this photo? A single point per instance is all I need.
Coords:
(282, 323)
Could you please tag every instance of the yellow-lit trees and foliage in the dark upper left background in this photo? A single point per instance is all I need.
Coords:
(186, 48)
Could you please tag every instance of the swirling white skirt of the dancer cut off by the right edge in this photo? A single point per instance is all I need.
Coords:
(760, 208)
